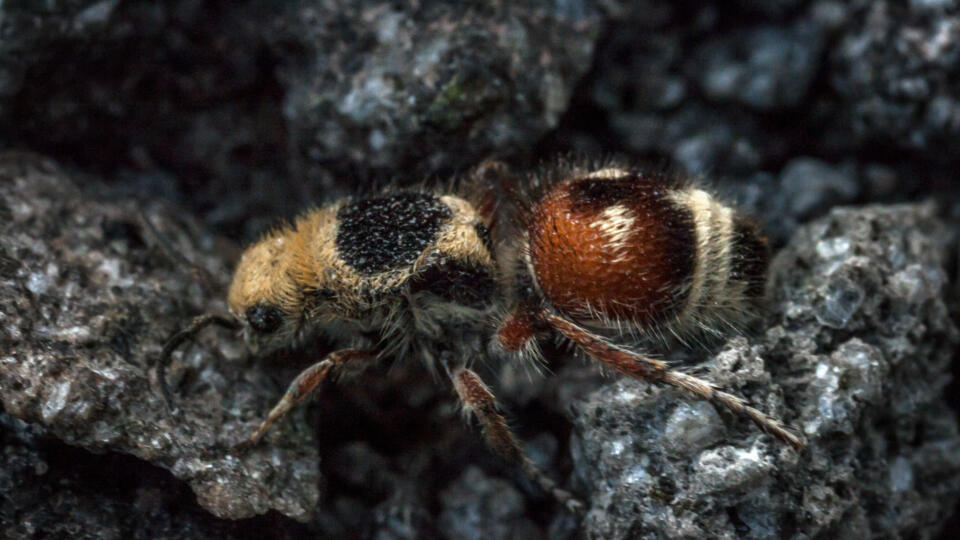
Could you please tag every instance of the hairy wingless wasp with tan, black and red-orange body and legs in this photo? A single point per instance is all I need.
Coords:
(593, 256)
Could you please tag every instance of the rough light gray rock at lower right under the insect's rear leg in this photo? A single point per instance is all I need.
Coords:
(855, 353)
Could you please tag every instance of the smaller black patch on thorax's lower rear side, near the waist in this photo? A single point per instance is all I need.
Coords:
(456, 282)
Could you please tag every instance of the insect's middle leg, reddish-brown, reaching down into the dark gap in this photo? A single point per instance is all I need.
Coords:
(479, 400)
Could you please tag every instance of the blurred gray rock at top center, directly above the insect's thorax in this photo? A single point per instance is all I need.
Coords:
(385, 87)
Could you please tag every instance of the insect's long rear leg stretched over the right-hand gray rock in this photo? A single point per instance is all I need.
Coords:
(649, 369)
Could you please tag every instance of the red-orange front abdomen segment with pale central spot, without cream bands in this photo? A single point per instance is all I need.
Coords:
(614, 247)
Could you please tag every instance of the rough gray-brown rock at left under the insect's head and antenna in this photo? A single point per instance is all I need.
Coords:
(87, 299)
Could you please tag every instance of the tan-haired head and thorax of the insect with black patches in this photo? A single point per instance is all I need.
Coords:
(406, 266)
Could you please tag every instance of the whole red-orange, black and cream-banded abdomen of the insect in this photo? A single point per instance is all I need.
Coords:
(619, 247)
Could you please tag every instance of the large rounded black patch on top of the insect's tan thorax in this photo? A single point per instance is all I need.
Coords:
(376, 235)
